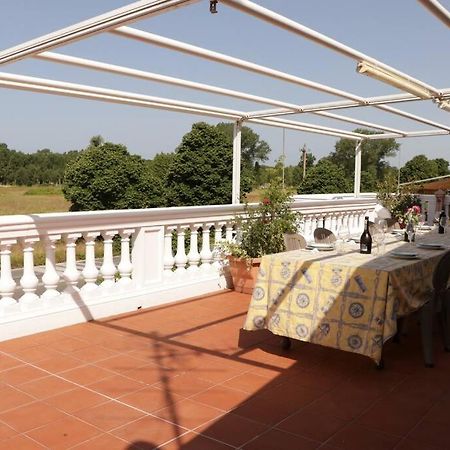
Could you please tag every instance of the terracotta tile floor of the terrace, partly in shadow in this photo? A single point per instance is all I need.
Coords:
(184, 376)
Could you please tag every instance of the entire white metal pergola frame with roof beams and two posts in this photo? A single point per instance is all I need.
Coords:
(115, 22)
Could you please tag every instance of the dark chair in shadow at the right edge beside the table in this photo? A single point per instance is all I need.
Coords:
(439, 302)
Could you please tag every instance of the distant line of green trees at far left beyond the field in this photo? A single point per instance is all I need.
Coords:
(41, 167)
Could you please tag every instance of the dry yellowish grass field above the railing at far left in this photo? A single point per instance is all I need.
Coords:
(32, 200)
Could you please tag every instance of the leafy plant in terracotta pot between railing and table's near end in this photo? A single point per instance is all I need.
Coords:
(259, 232)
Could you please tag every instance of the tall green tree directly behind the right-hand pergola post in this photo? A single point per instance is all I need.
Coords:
(373, 154)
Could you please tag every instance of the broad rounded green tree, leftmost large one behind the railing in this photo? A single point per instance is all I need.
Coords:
(106, 176)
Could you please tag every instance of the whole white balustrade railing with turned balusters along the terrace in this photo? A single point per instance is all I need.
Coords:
(155, 263)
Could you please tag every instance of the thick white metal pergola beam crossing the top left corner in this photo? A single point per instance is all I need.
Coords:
(81, 30)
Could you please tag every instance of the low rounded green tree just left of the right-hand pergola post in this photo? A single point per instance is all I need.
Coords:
(325, 178)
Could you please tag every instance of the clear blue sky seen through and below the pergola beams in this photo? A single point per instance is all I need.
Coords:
(400, 33)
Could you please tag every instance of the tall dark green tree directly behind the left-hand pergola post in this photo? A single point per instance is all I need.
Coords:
(201, 170)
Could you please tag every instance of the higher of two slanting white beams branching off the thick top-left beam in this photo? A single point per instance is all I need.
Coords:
(190, 49)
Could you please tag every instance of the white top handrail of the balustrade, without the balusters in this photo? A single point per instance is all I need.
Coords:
(16, 226)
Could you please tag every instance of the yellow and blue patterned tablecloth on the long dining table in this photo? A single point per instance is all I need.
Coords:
(348, 301)
